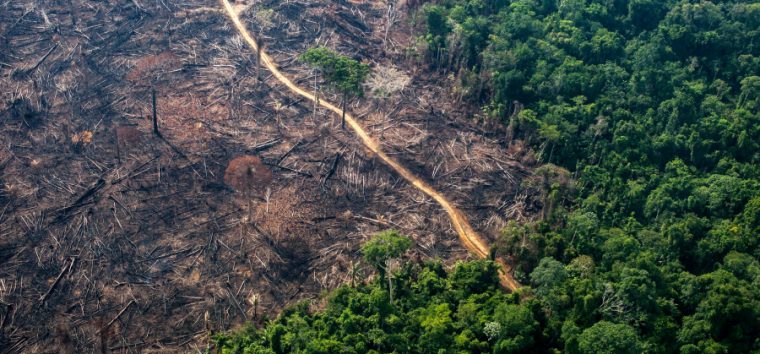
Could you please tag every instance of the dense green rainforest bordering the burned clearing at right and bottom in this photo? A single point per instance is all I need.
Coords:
(645, 118)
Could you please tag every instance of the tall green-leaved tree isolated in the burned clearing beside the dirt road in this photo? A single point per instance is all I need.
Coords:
(344, 74)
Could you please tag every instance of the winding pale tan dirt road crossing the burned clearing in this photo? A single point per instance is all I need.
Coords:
(467, 234)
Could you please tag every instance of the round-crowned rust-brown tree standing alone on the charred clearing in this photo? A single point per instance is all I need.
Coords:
(248, 175)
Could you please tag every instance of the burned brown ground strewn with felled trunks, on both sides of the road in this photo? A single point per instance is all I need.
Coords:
(115, 239)
